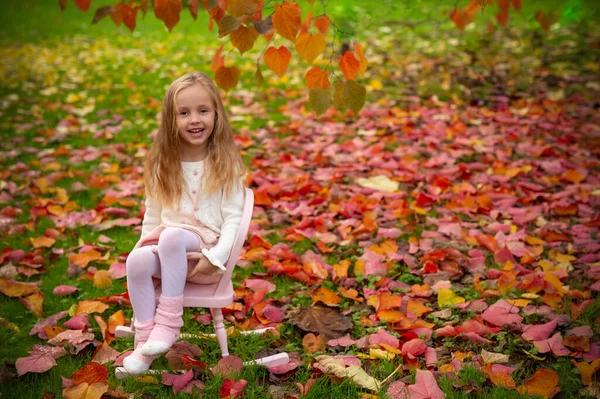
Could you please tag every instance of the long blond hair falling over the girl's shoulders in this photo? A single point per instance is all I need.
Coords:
(223, 166)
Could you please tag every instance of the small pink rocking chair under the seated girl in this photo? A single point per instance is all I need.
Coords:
(216, 295)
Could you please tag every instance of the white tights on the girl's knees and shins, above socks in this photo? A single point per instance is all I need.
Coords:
(171, 262)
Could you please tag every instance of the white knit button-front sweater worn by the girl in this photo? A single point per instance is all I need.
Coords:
(220, 214)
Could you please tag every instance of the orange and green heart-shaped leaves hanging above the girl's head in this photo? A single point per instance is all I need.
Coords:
(243, 22)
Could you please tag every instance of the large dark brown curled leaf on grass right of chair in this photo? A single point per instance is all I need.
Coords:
(323, 320)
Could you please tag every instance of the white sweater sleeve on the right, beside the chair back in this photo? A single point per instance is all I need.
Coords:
(231, 210)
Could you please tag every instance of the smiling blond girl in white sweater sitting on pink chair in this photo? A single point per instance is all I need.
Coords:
(194, 198)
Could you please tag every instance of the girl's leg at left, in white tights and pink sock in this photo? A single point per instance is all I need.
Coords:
(141, 264)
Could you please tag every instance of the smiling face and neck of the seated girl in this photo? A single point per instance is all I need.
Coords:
(195, 121)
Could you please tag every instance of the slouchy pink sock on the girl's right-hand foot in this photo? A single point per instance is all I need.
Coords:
(168, 322)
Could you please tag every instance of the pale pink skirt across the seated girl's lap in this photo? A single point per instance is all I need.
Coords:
(207, 238)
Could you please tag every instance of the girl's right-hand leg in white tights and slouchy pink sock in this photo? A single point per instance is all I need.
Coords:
(173, 245)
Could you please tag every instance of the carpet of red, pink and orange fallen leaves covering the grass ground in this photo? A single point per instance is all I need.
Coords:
(436, 236)
